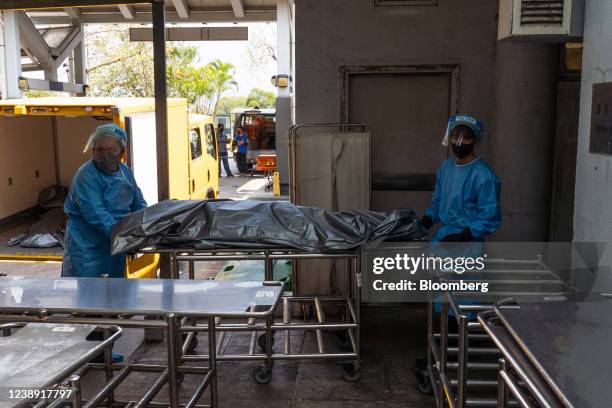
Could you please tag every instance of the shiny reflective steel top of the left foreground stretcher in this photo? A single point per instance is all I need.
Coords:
(153, 297)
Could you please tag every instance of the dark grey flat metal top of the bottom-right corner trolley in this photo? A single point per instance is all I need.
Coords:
(571, 344)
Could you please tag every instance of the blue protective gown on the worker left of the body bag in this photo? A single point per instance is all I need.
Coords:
(97, 201)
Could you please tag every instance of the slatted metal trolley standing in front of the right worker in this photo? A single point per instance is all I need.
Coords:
(462, 361)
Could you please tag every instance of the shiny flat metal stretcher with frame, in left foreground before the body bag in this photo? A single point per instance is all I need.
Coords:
(113, 301)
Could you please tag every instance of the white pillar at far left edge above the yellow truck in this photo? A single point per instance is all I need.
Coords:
(11, 56)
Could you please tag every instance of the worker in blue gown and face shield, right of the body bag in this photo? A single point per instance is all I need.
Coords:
(466, 197)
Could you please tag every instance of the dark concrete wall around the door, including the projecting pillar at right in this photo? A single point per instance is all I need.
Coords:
(331, 34)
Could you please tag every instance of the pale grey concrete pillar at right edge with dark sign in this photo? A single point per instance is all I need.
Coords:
(593, 197)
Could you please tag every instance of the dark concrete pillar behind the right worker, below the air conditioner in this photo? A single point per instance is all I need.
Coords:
(523, 137)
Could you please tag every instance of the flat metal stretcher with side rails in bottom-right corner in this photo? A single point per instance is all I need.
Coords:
(555, 354)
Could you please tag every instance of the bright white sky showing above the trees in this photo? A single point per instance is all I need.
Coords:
(247, 74)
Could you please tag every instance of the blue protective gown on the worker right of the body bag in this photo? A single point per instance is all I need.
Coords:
(465, 196)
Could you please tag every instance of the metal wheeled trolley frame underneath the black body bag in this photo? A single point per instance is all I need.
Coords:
(348, 324)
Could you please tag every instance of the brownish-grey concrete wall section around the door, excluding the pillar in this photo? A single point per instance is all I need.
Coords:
(335, 33)
